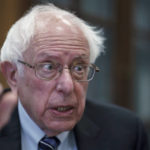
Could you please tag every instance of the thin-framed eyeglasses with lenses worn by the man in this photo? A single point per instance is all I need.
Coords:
(51, 70)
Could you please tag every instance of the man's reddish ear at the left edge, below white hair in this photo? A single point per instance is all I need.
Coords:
(9, 71)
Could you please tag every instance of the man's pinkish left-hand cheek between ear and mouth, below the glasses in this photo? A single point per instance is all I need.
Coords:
(34, 95)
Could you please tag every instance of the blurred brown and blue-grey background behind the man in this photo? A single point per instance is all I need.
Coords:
(125, 66)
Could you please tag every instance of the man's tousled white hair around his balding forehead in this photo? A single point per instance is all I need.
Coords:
(20, 35)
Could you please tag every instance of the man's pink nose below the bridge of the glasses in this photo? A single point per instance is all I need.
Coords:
(65, 82)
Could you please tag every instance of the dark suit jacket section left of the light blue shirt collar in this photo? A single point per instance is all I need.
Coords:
(10, 135)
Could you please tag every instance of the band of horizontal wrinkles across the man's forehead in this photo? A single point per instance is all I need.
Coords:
(57, 43)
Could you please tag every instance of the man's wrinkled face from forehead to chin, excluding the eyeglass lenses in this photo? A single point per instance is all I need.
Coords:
(55, 105)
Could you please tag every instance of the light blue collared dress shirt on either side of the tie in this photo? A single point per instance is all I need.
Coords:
(31, 134)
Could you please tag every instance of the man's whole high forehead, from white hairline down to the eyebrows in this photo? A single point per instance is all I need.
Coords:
(58, 36)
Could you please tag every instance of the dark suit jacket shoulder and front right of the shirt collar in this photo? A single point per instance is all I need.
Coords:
(114, 127)
